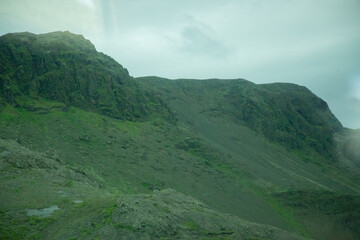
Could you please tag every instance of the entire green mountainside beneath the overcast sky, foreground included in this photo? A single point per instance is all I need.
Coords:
(89, 152)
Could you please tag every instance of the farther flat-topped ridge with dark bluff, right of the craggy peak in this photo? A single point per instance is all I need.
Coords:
(285, 113)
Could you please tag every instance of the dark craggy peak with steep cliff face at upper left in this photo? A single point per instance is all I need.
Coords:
(67, 68)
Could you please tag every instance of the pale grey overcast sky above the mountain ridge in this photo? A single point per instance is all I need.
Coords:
(315, 43)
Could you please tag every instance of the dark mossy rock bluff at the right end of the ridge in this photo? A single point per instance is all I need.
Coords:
(286, 113)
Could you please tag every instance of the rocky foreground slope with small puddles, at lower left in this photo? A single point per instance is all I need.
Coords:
(68, 202)
